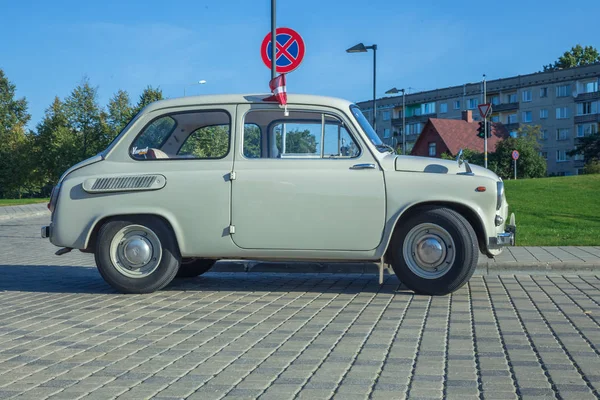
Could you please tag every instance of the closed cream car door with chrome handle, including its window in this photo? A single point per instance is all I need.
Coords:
(304, 181)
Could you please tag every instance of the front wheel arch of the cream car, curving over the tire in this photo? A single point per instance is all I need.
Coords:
(467, 212)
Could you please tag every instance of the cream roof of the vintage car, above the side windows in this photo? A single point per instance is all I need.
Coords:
(246, 98)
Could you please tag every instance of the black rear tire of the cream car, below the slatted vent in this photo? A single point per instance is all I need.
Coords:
(164, 270)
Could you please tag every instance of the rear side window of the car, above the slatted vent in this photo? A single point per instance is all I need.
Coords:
(184, 135)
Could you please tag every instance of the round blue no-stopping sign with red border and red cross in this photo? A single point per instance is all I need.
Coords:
(288, 53)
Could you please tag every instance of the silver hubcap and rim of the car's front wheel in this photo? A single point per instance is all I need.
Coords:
(429, 251)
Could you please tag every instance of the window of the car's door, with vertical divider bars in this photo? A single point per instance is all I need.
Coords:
(301, 134)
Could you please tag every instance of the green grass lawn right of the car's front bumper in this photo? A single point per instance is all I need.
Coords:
(558, 211)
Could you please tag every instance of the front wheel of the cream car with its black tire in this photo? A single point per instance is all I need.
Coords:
(457, 269)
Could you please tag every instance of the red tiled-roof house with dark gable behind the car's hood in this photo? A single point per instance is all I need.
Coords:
(450, 135)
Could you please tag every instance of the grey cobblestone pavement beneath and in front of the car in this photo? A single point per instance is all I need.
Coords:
(64, 334)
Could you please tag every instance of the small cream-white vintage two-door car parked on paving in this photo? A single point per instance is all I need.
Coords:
(193, 180)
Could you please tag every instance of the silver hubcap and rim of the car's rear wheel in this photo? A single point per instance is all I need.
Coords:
(135, 251)
